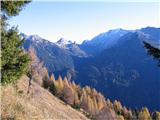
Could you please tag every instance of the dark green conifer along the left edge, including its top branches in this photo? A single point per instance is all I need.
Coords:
(14, 61)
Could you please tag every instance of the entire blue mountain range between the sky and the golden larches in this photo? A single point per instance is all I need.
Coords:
(115, 63)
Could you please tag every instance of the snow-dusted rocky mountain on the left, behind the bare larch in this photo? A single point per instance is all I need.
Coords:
(57, 57)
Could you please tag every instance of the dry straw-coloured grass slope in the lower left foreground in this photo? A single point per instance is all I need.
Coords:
(38, 104)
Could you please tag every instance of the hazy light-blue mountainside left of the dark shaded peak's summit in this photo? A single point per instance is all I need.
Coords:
(103, 41)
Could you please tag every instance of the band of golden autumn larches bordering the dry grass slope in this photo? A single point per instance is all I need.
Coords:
(93, 104)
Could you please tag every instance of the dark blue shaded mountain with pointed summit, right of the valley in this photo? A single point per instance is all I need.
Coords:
(125, 72)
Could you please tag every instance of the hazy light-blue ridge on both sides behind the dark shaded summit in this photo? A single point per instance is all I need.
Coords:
(112, 37)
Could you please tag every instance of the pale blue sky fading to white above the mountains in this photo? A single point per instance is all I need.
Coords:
(78, 21)
